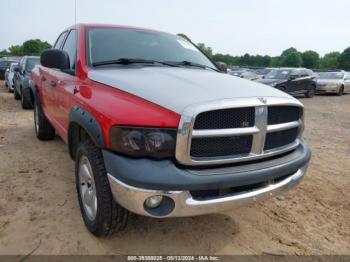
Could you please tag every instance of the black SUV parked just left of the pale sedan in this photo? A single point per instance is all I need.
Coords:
(294, 81)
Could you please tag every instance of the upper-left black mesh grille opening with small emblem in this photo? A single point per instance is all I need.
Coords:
(226, 118)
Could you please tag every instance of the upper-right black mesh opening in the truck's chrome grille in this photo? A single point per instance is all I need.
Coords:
(283, 114)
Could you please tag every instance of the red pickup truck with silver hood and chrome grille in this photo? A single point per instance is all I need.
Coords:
(156, 128)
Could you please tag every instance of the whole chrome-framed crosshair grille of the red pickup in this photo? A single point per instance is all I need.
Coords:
(261, 128)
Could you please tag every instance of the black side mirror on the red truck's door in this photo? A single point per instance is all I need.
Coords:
(55, 58)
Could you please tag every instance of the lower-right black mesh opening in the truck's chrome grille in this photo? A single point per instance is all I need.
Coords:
(280, 138)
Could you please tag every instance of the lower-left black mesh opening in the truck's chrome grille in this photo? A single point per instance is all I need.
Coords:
(221, 146)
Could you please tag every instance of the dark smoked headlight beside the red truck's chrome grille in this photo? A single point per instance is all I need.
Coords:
(143, 141)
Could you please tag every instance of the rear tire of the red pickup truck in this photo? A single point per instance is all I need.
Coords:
(43, 129)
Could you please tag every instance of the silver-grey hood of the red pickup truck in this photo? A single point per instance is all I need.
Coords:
(177, 88)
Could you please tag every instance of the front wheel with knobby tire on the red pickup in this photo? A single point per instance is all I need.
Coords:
(101, 214)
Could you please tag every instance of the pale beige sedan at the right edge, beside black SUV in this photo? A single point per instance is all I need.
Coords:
(333, 82)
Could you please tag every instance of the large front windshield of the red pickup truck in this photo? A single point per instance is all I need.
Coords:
(106, 44)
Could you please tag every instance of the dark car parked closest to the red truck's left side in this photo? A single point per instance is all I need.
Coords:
(22, 80)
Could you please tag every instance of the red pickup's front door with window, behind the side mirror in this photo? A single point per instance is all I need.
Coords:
(66, 85)
